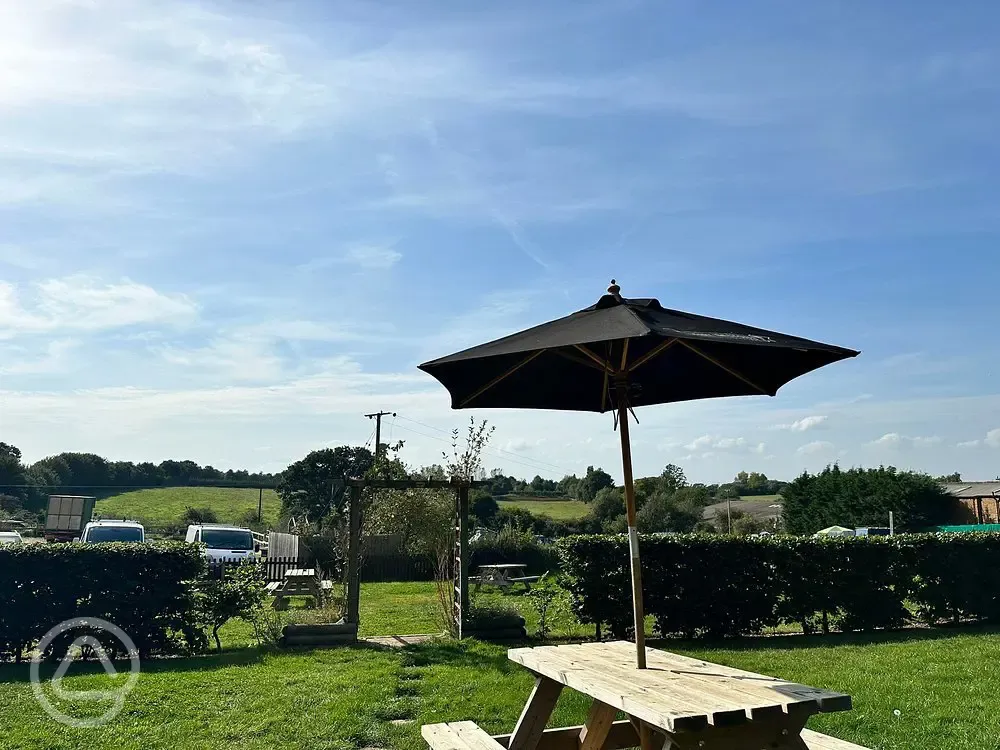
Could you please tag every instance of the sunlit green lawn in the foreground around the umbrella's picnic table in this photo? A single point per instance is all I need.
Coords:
(942, 684)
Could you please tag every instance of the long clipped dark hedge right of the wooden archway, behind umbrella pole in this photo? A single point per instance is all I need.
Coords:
(716, 586)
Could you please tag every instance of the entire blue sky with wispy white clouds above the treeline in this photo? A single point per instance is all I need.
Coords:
(229, 229)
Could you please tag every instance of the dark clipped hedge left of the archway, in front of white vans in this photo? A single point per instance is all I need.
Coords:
(144, 589)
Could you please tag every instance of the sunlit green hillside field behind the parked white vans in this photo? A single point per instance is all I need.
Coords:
(164, 505)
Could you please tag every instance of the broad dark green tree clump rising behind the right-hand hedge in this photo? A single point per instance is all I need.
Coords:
(864, 497)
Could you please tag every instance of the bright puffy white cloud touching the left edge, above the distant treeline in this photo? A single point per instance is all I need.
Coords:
(81, 303)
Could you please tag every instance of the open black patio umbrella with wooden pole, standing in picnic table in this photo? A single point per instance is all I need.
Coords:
(620, 354)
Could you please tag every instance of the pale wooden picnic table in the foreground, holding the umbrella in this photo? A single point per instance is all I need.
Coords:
(677, 703)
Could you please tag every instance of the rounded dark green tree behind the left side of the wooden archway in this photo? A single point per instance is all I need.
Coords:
(307, 486)
